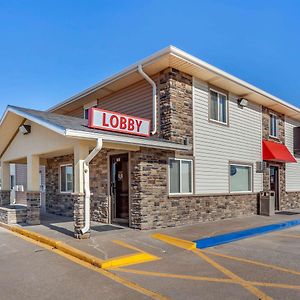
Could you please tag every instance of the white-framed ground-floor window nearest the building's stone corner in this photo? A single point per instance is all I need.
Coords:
(180, 176)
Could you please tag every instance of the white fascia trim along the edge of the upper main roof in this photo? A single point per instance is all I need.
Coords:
(184, 56)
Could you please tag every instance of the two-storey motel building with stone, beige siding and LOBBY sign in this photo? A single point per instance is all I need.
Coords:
(170, 140)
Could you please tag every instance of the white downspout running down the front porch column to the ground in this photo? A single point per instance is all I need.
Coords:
(87, 191)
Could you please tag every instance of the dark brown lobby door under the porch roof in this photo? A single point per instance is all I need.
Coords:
(119, 187)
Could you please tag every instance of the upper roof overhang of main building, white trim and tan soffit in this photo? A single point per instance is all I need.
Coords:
(182, 61)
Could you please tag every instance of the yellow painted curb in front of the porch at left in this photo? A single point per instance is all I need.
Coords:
(59, 245)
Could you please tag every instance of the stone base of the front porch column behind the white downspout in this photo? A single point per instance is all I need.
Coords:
(79, 216)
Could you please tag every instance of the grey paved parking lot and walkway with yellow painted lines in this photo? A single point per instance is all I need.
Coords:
(262, 267)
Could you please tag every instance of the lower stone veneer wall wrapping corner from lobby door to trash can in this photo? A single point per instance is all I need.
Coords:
(151, 207)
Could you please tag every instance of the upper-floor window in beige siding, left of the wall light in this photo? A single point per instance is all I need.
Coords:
(218, 107)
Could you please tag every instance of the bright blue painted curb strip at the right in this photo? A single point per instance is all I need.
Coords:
(243, 234)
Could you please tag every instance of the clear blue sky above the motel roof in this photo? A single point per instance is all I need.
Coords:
(50, 50)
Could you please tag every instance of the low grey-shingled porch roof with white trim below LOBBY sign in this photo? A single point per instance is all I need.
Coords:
(71, 127)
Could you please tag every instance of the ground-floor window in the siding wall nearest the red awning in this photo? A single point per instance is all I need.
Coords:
(240, 178)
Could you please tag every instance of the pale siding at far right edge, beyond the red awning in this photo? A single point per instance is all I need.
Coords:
(292, 169)
